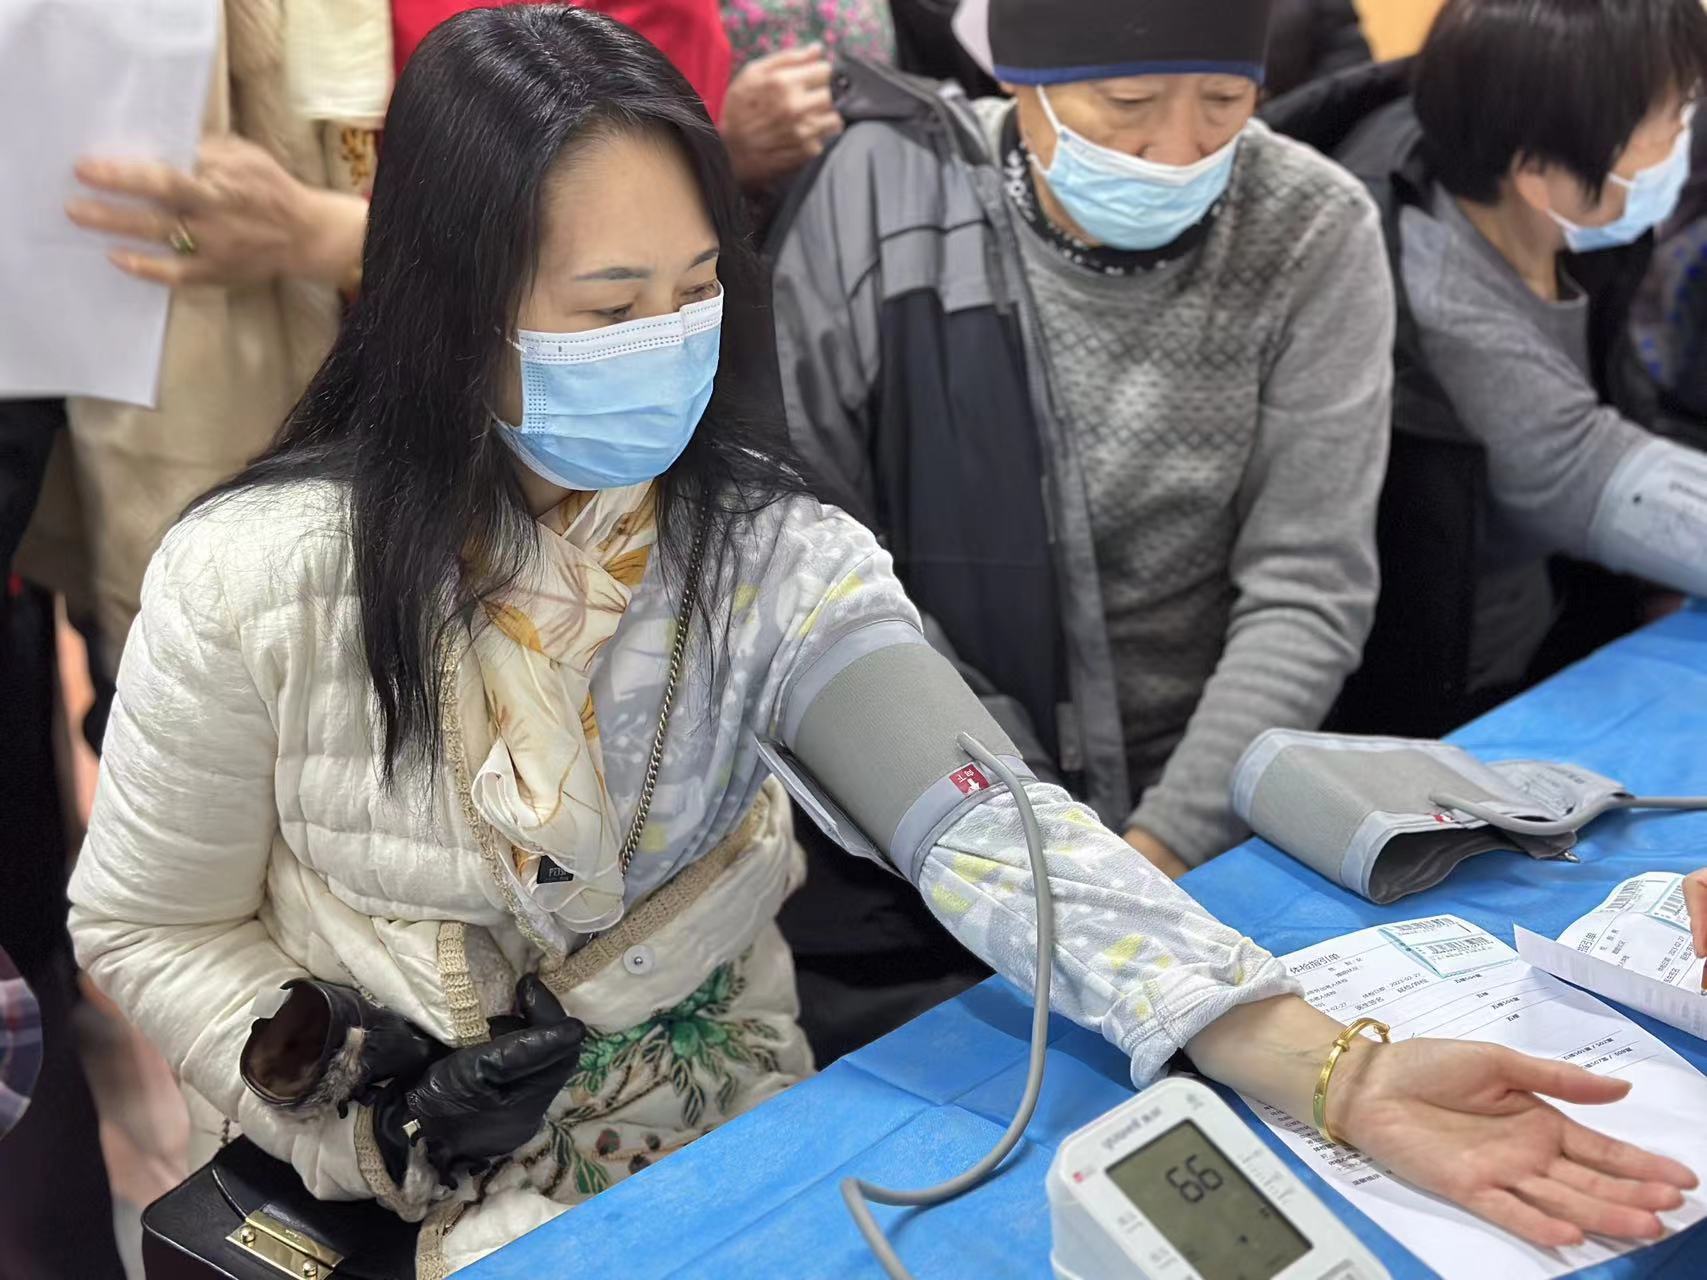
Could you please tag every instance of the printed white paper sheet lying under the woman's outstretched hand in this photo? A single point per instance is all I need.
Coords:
(1445, 977)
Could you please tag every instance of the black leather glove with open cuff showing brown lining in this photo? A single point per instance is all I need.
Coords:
(329, 1047)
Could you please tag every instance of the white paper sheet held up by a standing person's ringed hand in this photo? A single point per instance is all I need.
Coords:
(88, 78)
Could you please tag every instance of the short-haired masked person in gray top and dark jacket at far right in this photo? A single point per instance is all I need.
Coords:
(1522, 180)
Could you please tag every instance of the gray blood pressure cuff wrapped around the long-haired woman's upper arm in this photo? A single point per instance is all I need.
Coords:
(868, 745)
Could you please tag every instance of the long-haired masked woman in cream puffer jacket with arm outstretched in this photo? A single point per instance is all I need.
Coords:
(434, 847)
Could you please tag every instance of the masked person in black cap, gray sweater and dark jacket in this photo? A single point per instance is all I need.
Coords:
(1109, 369)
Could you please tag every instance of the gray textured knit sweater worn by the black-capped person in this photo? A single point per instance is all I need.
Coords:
(1232, 409)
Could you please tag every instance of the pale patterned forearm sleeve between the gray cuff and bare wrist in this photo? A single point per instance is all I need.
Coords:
(1136, 958)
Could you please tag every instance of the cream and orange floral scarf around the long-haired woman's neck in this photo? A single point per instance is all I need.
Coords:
(544, 783)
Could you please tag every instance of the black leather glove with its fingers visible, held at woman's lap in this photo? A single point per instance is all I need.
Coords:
(486, 1102)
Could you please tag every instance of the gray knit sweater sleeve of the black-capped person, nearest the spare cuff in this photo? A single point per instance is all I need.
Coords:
(1303, 566)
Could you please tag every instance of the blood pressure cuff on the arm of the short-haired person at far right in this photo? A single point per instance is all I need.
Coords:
(1652, 520)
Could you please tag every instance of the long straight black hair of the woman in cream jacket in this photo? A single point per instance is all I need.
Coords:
(400, 414)
